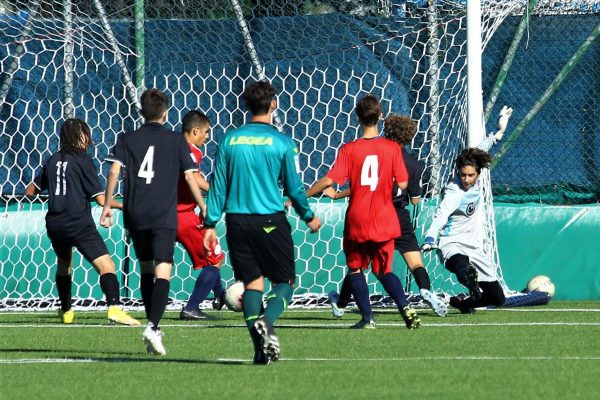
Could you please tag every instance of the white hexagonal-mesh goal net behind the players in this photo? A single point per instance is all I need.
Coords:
(91, 59)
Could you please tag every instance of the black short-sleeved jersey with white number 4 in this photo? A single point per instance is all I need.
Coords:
(153, 157)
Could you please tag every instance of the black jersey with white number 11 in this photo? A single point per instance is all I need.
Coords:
(71, 181)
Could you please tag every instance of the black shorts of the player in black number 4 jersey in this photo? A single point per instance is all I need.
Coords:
(154, 244)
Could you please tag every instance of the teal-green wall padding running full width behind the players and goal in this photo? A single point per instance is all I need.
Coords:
(556, 241)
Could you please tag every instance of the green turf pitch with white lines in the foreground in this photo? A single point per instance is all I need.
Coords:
(545, 353)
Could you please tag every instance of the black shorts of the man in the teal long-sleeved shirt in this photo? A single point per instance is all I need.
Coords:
(261, 245)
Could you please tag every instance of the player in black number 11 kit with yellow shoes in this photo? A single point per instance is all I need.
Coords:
(71, 180)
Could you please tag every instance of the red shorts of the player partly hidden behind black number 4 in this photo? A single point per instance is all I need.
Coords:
(191, 236)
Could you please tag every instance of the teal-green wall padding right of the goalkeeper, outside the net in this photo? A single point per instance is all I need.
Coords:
(557, 241)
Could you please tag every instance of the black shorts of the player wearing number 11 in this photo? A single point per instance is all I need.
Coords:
(88, 241)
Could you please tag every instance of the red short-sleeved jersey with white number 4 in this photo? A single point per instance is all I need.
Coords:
(371, 165)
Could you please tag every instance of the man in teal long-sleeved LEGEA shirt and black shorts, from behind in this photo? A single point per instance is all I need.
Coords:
(250, 163)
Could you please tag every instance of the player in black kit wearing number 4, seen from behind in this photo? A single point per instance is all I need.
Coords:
(153, 156)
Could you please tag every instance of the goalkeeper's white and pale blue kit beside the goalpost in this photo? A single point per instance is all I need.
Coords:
(454, 224)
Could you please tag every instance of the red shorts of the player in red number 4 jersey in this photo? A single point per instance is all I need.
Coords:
(379, 254)
